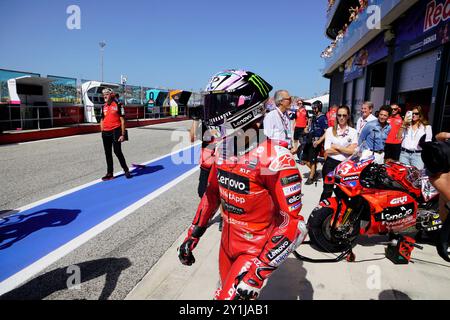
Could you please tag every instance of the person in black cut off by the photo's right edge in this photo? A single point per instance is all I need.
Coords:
(436, 158)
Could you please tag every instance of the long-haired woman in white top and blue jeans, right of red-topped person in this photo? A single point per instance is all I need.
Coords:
(413, 129)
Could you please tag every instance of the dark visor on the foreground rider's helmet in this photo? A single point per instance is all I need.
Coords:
(218, 107)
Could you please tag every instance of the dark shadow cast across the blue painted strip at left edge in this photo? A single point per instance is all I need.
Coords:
(17, 227)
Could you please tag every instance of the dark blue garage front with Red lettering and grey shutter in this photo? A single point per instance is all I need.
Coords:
(421, 57)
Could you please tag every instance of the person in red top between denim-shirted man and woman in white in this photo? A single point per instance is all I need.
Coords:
(393, 146)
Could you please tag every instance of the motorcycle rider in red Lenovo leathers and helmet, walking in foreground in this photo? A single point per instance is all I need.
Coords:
(257, 183)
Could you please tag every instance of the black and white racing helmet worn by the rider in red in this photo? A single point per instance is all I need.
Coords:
(233, 100)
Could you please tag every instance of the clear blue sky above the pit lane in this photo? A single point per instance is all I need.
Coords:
(175, 44)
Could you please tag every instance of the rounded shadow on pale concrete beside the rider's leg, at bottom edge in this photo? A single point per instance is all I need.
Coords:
(288, 283)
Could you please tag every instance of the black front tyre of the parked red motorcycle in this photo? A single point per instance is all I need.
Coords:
(320, 233)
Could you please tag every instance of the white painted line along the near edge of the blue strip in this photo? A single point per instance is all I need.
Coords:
(33, 269)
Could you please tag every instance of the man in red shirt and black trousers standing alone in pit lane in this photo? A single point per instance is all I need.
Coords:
(112, 125)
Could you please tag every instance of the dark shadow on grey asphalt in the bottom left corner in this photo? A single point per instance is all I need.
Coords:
(60, 279)
